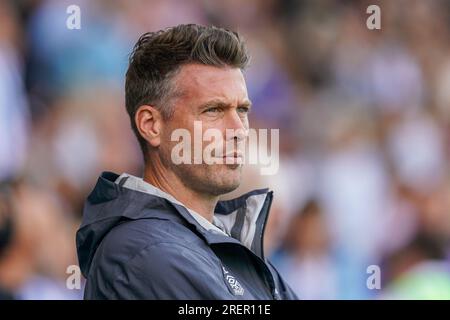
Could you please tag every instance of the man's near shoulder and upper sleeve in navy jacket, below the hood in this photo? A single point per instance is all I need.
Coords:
(155, 261)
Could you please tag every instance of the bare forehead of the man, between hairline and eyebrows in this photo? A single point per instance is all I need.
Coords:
(201, 83)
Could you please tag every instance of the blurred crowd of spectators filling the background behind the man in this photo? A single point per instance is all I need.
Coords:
(364, 119)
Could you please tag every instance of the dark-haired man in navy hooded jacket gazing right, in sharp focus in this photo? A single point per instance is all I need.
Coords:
(166, 235)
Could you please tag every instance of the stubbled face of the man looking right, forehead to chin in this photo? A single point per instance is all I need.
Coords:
(217, 98)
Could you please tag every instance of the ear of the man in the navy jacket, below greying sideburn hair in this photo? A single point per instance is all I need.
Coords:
(149, 122)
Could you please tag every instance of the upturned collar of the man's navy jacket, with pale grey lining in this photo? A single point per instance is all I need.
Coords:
(244, 218)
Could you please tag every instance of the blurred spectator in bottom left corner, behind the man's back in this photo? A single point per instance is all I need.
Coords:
(38, 245)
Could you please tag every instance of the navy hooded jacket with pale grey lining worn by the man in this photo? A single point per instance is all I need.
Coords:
(134, 245)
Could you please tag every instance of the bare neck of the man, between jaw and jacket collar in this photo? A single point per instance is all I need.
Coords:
(164, 179)
